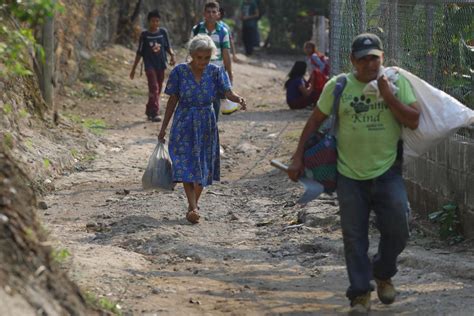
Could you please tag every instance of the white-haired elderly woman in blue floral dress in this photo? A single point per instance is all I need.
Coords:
(194, 139)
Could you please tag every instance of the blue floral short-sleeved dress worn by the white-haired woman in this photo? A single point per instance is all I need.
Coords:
(194, 138)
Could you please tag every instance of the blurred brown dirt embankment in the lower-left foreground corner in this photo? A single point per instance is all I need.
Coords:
(31, 281)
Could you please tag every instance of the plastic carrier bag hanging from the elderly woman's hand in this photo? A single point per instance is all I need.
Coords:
(158, 174)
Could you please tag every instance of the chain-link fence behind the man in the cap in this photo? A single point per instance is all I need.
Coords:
(432, 39)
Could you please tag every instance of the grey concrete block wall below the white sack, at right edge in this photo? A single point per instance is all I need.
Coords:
(445, 174)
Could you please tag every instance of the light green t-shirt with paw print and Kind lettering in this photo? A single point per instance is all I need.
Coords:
(368, 132)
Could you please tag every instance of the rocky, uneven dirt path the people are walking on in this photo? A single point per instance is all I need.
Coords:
(136, 248)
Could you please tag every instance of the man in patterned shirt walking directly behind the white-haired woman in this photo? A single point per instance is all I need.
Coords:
(220, 35)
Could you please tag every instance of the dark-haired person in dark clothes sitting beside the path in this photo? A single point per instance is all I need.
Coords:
(299, 94)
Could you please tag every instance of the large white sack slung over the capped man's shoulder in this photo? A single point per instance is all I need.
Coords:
(441, 115)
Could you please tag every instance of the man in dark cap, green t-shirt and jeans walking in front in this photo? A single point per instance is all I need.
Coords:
(369, 169)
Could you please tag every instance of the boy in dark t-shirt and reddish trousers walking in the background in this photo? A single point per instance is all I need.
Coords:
(153, 45)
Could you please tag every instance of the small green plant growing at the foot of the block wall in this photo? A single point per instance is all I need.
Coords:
(448, 221)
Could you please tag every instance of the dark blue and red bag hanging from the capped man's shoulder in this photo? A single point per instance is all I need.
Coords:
(320, 150)
